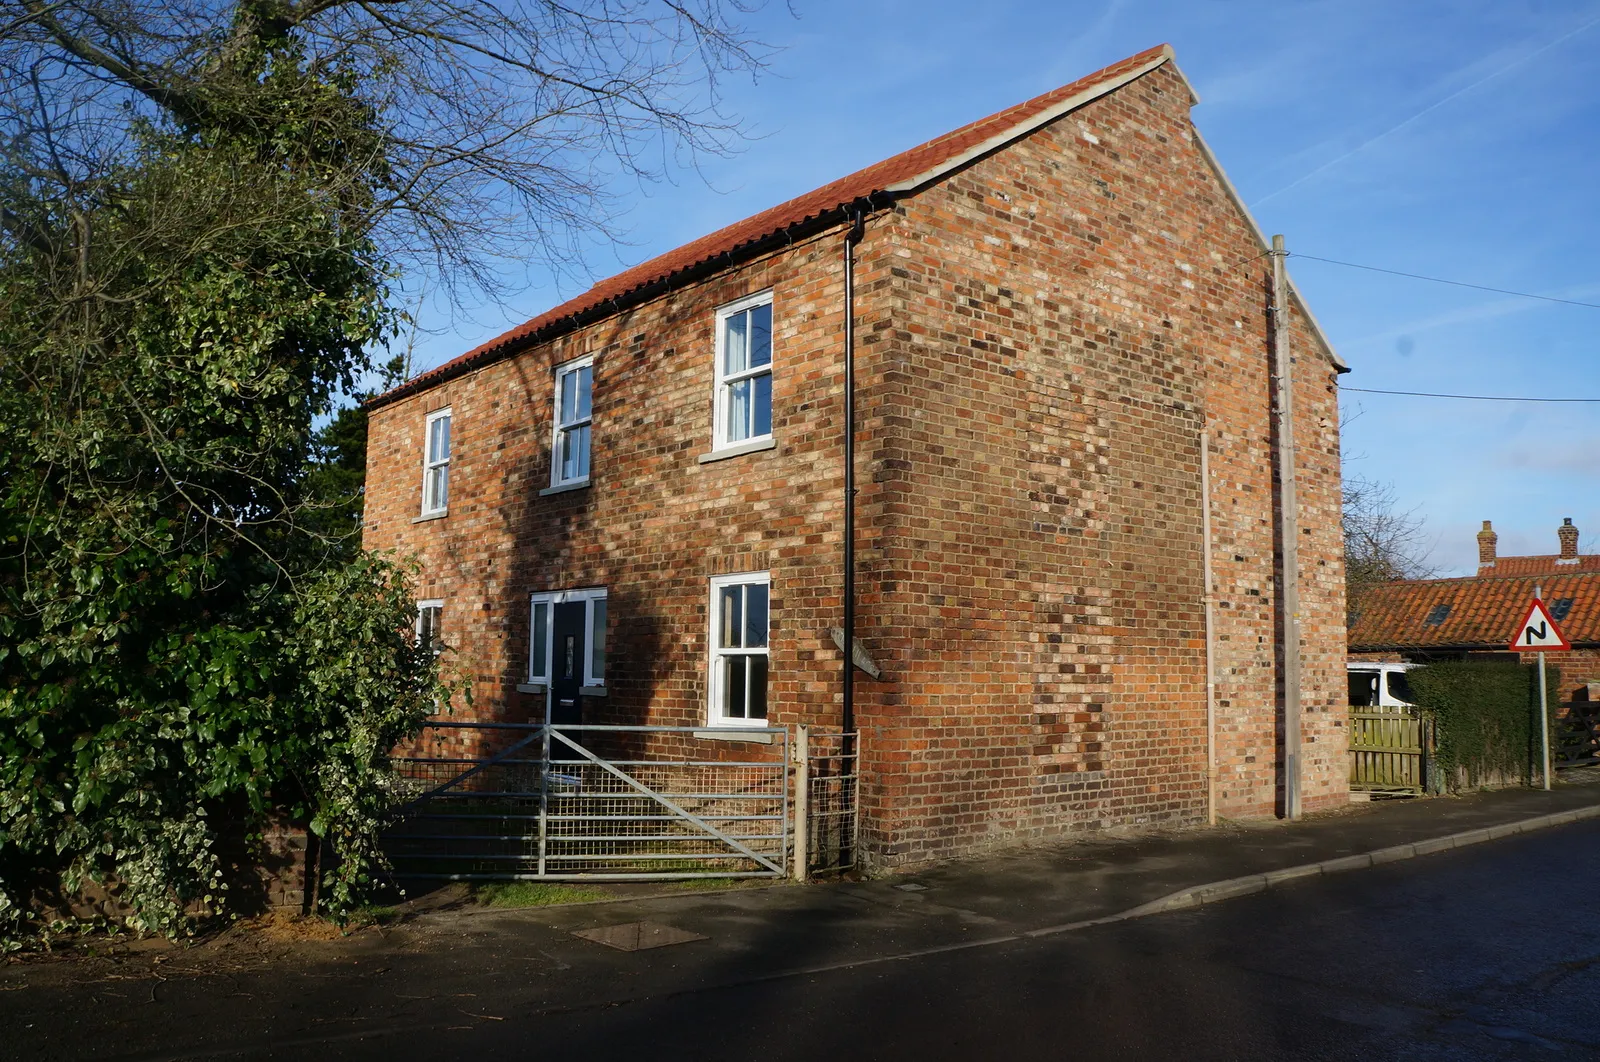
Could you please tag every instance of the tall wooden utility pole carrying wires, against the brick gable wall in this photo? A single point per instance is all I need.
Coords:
(1289, 532)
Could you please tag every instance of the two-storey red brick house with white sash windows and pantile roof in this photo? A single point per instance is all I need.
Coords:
(1050, 306)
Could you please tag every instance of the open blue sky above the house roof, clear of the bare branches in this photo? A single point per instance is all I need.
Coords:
(1452, 140)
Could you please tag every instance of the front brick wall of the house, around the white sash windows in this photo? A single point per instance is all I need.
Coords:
(655, 524)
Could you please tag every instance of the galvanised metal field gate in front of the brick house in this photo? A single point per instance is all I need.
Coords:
(566, 804)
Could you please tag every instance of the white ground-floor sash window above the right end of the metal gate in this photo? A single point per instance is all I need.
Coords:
(738, 650)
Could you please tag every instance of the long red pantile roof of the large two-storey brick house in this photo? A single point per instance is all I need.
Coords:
(894, 177)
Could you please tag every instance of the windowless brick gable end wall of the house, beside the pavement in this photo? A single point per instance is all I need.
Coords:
(1062, 322)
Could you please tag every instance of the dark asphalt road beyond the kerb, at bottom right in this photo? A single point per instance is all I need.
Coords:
(1484, 954)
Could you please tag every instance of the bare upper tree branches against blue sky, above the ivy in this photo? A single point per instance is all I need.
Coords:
(503, 124)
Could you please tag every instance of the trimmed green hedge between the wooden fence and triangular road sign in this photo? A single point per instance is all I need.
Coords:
(1484, 722)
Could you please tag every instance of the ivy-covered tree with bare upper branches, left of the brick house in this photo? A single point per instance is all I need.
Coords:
(204, 212)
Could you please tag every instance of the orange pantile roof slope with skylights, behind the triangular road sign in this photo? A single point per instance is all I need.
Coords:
(1476, 613)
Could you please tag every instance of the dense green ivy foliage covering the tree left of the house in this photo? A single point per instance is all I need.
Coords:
(180, 645)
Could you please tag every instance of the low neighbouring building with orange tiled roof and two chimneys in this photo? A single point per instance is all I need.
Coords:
(1444, 620)
